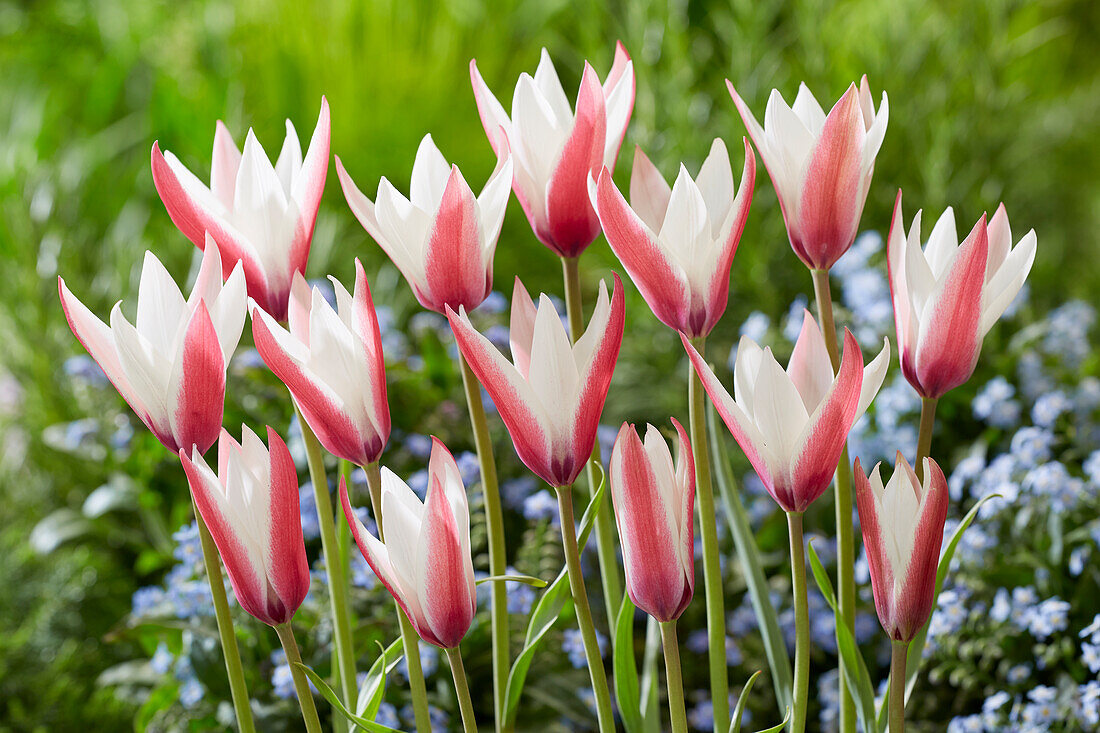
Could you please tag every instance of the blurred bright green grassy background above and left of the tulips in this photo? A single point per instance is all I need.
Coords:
(989, 102)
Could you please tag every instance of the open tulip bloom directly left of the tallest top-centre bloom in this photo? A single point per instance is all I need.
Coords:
(442, 238)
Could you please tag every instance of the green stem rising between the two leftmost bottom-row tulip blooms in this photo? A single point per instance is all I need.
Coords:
(338, 587)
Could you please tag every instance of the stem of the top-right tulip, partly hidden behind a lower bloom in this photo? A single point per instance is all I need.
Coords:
(845, 531)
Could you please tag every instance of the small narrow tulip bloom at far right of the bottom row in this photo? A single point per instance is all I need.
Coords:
(904, 530)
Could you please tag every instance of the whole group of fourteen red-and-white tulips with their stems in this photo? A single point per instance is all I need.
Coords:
(255, 224)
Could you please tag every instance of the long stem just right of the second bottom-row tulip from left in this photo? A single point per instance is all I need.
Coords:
(494, 523)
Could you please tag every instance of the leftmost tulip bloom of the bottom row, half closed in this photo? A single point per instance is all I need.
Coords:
(251, 507)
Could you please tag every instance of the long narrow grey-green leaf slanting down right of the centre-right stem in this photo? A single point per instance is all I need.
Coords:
(779, 663)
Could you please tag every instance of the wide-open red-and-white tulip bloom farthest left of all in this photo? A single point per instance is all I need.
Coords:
(171, 368)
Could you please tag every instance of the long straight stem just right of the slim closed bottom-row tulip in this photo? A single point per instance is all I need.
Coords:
(709, 534)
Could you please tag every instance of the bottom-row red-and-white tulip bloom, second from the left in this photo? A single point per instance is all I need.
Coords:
(424, 556)
